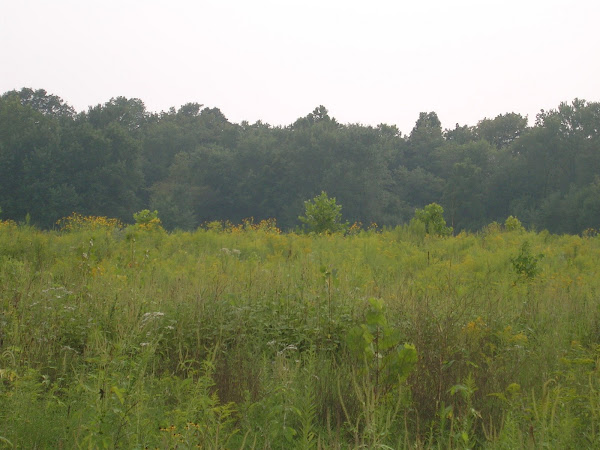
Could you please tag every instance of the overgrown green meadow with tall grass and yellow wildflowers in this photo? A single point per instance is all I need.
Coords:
(241, 336)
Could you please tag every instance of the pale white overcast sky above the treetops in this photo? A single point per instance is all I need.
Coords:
(367, 62)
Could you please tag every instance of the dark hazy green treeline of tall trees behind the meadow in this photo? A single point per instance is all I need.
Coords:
(194, 166)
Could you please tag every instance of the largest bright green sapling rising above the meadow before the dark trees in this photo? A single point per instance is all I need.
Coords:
(322, 215)
